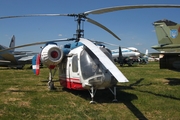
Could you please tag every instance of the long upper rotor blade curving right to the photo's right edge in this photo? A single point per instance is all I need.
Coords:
(116, 8)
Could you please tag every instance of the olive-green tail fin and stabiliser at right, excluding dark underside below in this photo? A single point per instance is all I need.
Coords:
(168, 36)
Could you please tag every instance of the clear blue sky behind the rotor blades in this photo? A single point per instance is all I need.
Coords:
(134, 27)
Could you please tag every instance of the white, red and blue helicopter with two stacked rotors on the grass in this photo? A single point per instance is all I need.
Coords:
(82, 64)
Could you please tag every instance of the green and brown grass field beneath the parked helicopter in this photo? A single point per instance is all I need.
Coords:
(152, 93)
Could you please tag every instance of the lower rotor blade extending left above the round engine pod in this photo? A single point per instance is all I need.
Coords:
(38, 43)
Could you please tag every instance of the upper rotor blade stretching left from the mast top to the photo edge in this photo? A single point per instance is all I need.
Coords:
(34, 15)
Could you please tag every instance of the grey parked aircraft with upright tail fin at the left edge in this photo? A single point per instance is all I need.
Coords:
(12, 58)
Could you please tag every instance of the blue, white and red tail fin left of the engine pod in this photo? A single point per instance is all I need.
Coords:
(36, 64)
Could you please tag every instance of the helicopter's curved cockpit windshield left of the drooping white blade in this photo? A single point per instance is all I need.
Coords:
(89, 67)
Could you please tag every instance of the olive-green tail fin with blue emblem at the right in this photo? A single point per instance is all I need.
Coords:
(167, 32)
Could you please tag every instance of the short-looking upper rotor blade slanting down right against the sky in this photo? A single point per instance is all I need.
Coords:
(102, 26)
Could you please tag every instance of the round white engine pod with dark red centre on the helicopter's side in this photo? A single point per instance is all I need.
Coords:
(51, 55)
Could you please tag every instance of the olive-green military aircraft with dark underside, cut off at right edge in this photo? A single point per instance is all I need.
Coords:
(169, 43)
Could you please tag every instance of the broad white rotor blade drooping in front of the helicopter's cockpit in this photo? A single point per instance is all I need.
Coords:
(108, 64)
